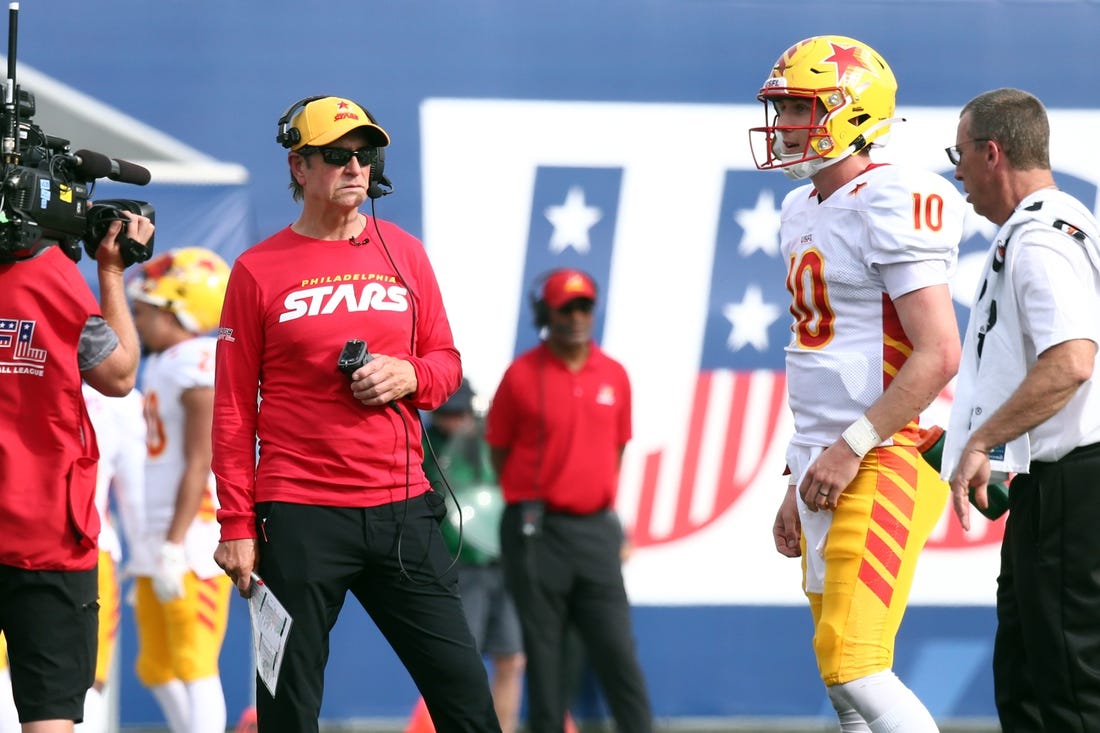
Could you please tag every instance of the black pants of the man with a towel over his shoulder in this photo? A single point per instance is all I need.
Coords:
(1047, 658)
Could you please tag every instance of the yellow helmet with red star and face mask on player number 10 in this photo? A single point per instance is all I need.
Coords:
(854, 94)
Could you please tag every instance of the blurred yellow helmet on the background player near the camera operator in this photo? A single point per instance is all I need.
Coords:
(189, 282)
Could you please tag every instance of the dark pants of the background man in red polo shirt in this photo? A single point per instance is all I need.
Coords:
(570, 575)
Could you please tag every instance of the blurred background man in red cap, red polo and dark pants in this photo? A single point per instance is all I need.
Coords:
(557, 429)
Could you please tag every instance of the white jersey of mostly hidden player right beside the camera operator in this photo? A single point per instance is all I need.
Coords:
(120, 432)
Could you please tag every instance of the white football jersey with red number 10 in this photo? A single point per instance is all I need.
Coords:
(890, 232)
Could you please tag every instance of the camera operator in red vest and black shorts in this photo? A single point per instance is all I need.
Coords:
(52, 335)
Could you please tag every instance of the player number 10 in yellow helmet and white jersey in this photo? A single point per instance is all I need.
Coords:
(875, 340)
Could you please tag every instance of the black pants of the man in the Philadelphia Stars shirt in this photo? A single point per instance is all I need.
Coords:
(393, 560)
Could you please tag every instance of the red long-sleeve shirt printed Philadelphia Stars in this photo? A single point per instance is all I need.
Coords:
(291, 305)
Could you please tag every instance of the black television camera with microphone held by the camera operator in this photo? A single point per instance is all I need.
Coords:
(45, 188)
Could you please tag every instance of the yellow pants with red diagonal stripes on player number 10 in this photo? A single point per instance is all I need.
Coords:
(879, 528)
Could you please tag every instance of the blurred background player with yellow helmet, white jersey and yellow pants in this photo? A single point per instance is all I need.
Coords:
(182, 595)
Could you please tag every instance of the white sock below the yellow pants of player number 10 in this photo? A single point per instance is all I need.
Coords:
(886, 704)
